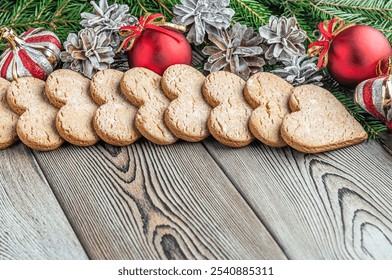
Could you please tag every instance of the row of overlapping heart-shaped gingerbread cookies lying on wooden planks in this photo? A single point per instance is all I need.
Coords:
(181, 104)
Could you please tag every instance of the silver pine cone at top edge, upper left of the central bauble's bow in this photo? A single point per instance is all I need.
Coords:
(108, 19)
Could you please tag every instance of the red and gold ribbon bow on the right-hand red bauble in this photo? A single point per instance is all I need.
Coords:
(329, 30)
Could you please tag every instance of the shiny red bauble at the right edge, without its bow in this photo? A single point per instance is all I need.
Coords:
(354, 53)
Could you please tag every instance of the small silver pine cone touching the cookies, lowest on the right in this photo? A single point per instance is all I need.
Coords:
(300, 70)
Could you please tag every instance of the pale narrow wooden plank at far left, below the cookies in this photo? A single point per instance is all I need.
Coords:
(33, 226)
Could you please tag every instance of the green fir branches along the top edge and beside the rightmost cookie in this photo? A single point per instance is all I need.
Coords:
(63, 17)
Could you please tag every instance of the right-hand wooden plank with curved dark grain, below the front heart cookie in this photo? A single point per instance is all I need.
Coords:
(336, 205)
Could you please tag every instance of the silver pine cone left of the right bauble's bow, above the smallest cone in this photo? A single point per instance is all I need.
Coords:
(283, 39)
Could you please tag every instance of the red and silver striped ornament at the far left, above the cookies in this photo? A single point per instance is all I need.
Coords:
(35, 53)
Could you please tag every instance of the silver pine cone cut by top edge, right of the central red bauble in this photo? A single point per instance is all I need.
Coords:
(204, 17)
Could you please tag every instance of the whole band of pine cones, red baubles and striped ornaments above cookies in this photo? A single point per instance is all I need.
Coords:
(112, 38)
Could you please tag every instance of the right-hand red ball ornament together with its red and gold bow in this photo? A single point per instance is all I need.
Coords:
(350, 52)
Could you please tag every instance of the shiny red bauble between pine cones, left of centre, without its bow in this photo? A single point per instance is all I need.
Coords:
(157, 51)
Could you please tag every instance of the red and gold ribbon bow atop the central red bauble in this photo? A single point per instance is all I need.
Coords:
(149, 21)
